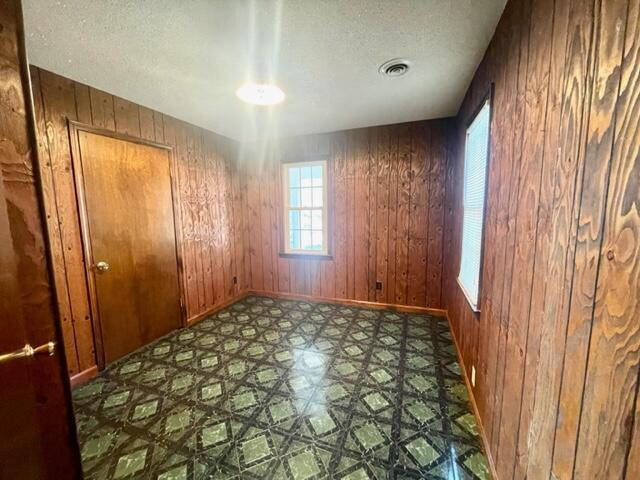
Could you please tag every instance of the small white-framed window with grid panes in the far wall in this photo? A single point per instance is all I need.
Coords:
(305, 207)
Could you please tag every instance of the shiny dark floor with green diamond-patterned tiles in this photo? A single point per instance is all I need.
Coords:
(286, 390)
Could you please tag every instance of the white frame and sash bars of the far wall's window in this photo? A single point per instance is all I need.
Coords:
(325, 210)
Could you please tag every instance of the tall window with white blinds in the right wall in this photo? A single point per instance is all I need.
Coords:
(476, 155)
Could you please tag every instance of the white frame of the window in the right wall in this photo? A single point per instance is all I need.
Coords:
(475, 302)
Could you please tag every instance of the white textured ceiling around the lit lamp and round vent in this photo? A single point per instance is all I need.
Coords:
(186, 58)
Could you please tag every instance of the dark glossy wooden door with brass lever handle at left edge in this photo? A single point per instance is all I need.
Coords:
(37, 434)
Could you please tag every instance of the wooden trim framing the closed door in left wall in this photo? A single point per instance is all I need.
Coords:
(74, 128)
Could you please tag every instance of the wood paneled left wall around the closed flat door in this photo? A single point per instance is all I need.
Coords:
(210, 202)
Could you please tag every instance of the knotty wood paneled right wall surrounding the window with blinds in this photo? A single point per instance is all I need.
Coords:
(557, 343)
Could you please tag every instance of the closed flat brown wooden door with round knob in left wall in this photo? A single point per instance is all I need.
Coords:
(127, 205)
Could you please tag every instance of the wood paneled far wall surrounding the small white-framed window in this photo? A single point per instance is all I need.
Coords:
(386, 206)
